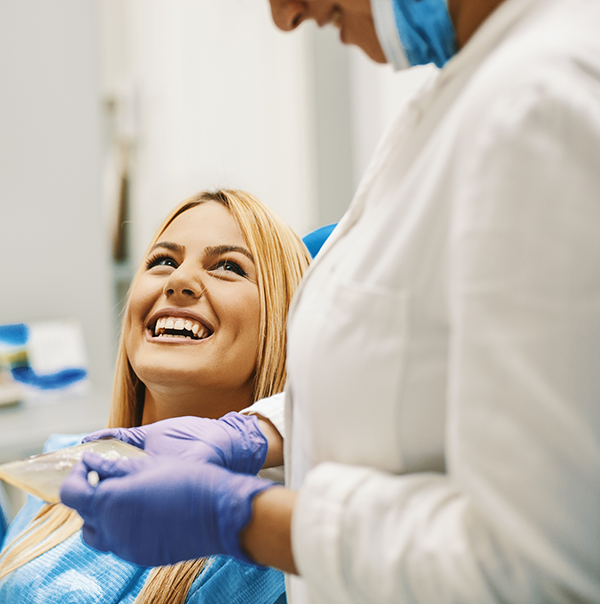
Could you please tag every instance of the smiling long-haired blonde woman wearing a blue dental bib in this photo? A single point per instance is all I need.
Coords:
(203, 334)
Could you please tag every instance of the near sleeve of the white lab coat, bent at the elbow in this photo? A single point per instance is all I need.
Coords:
(517, 516)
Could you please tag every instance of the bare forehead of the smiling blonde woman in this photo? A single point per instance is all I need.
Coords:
(209, 223)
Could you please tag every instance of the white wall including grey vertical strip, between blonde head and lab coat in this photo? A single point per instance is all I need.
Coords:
(215, 96)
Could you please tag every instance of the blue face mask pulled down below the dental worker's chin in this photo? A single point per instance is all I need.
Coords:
(414, 32)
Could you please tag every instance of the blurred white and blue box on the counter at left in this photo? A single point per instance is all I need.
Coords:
(40, 361)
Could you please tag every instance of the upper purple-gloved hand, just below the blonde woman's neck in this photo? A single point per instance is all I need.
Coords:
(234, 441)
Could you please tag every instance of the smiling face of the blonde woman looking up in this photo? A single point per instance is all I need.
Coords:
(193, 314)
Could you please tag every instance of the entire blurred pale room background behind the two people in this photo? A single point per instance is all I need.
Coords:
(113, 111)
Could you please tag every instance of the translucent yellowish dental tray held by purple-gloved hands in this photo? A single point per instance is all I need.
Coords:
(42, 475)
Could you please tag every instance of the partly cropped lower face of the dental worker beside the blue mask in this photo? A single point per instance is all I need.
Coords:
(353, 18)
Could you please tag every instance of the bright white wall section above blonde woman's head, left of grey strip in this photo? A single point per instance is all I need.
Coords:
(220, 99)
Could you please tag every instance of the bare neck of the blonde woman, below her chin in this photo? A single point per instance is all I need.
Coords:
(164, 403)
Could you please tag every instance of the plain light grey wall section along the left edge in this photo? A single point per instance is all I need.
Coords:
(52, 245)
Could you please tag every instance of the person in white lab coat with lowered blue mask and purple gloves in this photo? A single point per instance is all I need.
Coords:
(442, 406)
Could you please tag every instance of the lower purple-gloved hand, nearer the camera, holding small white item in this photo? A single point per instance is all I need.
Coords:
(162, 510)
